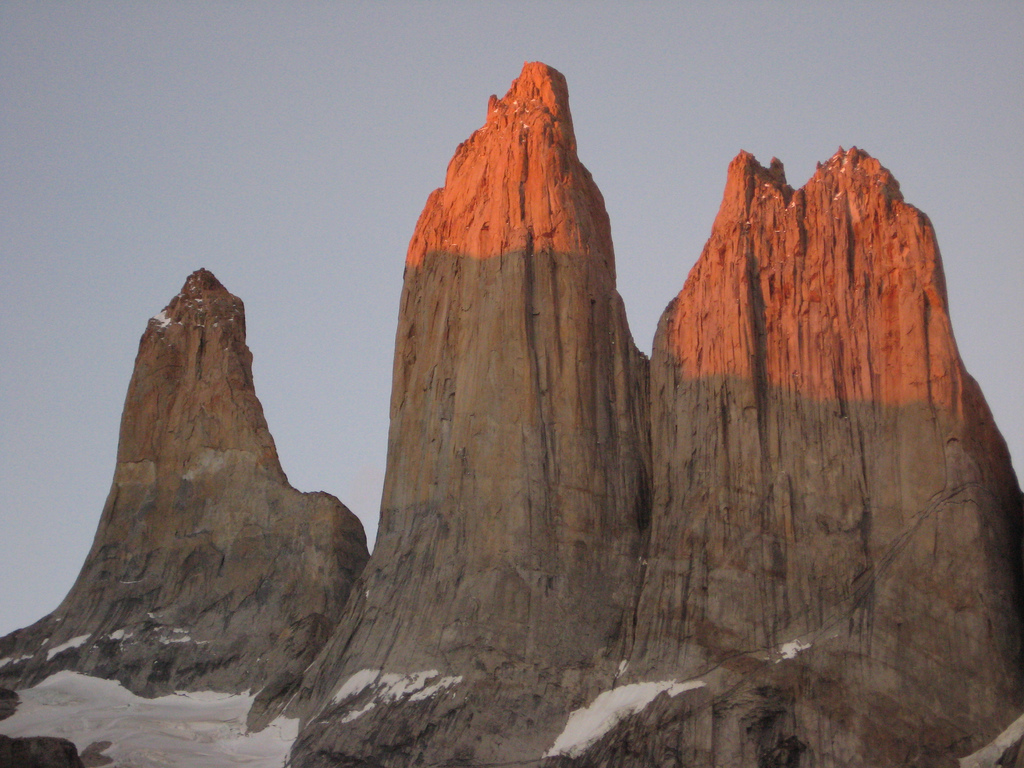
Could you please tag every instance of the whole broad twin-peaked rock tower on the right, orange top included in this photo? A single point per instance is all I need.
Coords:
(835, 544)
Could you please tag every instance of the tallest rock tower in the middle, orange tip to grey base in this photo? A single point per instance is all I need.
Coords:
(518, 479)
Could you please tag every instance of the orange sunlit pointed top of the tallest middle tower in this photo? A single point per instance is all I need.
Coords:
(517, 185)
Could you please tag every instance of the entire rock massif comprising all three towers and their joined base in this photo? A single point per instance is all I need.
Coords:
(791, 541)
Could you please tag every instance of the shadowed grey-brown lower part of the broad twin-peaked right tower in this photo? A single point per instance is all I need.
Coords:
(831, 628)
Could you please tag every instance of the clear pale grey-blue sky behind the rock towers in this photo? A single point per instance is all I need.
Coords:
(289, 148)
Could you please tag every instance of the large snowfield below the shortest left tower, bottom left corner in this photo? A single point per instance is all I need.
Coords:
(183, 731)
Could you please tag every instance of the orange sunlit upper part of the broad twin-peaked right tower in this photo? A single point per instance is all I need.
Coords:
(844, 262)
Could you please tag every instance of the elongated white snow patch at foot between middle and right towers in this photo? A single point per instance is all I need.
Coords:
(587, 726)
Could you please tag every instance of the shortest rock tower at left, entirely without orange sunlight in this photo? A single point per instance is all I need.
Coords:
(207, 565)
